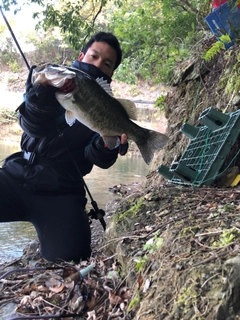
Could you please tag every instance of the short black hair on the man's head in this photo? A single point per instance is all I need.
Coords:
(110, 39)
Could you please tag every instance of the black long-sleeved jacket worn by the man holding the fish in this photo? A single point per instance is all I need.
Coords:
(59, 151)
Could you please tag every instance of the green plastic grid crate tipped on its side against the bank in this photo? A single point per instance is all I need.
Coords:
(210, 145)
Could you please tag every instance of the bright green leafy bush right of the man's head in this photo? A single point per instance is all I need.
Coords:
(151, 37)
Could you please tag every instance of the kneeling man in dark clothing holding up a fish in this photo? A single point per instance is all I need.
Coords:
(42, 184)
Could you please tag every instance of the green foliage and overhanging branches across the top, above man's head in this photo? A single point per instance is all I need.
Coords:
(155, 34)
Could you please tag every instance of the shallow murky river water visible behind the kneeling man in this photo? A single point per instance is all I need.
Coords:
(15, 236)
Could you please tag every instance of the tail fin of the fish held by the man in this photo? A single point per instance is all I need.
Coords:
(154, 140)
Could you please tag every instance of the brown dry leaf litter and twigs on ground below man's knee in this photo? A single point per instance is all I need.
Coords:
(61, 290)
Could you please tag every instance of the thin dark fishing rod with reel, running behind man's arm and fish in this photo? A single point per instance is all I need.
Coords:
(94, 213)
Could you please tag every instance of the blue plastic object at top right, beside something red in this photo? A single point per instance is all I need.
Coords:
(225, 19)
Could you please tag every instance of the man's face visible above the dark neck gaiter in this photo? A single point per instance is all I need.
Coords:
(102, 56)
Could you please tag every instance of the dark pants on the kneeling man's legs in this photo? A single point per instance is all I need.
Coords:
(60, 220)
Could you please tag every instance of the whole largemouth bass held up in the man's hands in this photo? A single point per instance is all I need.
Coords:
(92, 103)
